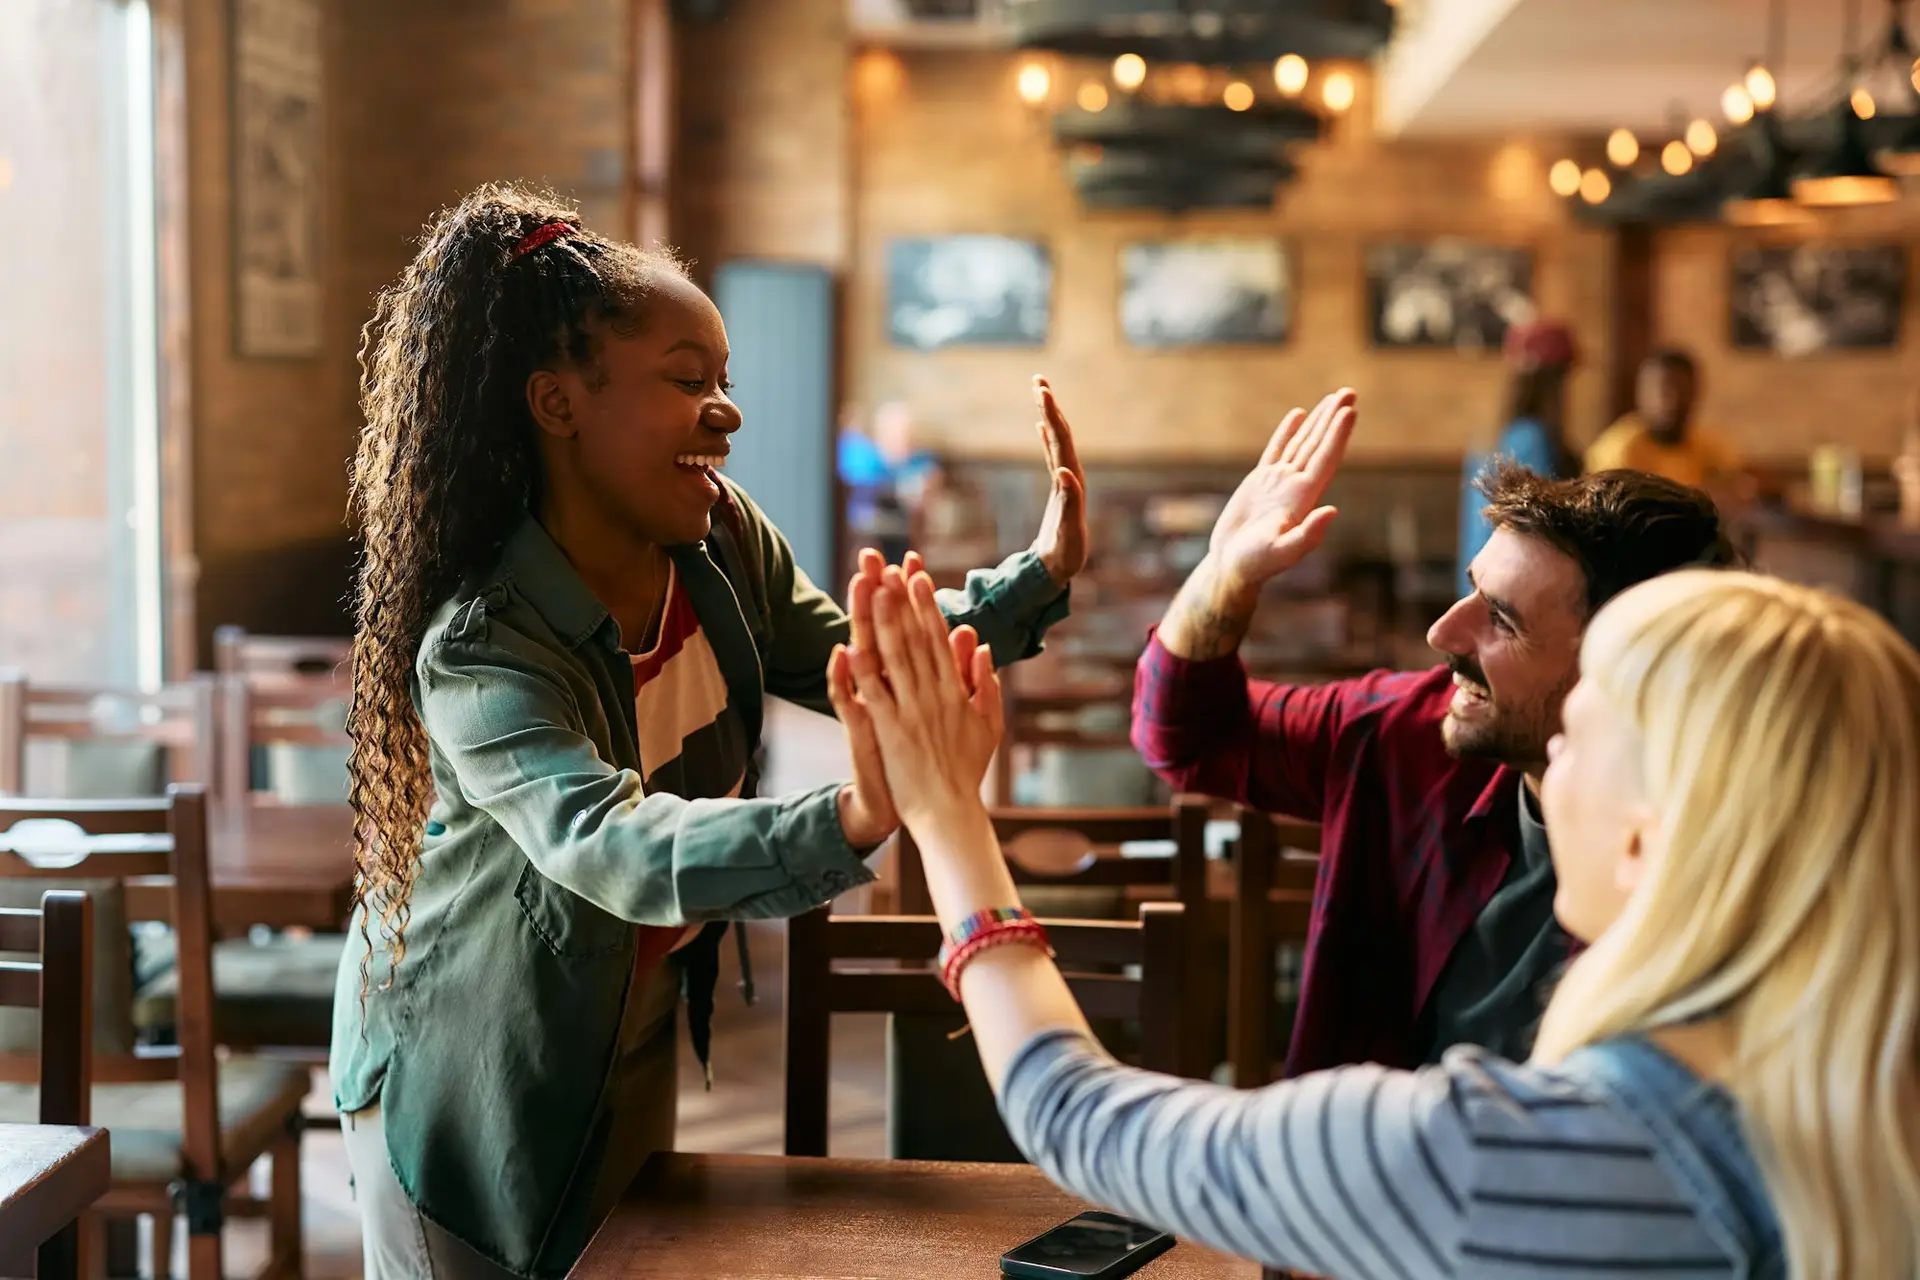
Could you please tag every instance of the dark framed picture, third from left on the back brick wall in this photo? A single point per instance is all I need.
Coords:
(1447, 295)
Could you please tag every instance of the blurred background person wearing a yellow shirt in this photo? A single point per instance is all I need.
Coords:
(1662, 437)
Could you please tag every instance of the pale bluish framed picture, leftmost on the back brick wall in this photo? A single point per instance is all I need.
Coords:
(969, 293)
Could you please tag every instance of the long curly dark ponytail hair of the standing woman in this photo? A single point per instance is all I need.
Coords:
(448, 467)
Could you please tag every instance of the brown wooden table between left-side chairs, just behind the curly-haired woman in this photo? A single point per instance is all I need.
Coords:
(274, 865)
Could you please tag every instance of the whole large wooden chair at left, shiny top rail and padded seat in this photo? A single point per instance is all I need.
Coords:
(187, 1124)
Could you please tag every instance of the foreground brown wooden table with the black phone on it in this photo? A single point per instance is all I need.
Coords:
(779, 1218)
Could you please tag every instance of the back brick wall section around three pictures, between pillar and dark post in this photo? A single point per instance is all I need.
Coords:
(949, 149)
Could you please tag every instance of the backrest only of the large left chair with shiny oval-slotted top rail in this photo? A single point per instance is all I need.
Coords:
(118, 841)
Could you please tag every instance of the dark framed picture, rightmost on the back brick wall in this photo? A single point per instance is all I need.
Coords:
(1808, 298)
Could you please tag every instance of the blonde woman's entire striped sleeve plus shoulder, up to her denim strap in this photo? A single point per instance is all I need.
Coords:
(1474, 1168)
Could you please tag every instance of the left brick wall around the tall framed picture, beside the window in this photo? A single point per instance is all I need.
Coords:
(427, 99)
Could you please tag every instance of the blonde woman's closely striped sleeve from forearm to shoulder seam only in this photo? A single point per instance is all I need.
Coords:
(1343, 1173)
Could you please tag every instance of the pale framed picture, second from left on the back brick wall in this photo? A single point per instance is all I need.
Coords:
(1205, 293)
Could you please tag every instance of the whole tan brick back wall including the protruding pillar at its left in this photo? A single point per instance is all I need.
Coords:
(771, 154)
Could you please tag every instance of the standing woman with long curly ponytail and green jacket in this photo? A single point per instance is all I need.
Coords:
(569, 621)
